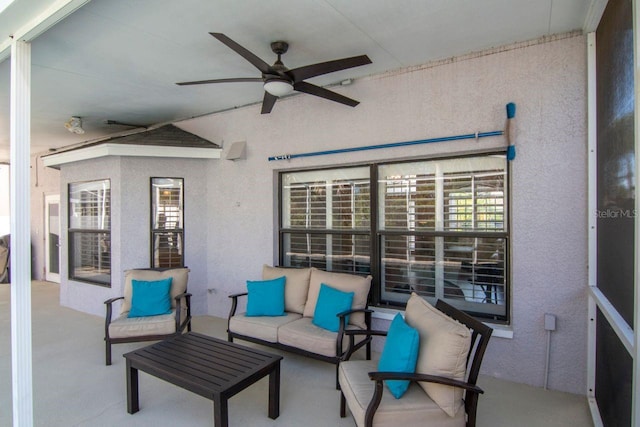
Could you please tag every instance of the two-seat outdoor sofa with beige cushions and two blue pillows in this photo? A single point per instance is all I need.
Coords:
(309, 300)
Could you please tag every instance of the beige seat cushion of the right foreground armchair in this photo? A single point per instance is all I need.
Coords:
(415, 408)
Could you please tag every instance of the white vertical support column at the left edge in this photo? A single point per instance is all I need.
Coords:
(20, 123)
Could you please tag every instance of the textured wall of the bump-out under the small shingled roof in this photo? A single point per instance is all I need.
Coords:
(130, 224)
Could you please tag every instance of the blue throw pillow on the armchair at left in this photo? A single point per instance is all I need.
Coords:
(150, 298)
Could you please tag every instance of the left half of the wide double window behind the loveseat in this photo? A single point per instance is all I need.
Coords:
(326, 219)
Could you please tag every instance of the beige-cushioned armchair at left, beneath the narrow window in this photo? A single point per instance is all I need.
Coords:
(155, 306)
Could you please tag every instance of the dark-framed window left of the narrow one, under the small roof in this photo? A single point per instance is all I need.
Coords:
(90, 232)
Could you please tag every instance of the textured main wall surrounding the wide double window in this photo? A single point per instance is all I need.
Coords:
(547, 81)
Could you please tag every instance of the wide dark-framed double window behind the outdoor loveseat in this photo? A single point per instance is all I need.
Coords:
(434, 227)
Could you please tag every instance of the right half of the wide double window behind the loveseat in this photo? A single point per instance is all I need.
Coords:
(443, 231)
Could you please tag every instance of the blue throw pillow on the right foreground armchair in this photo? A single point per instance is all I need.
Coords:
(400, 354)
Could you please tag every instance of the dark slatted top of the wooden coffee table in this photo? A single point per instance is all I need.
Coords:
(202, 364)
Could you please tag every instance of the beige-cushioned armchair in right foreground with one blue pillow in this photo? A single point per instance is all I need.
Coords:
(440, 391)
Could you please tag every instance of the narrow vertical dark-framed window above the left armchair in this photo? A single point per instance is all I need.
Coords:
(167, 222)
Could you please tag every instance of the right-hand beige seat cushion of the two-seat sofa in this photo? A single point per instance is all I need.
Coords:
(305, 335)
